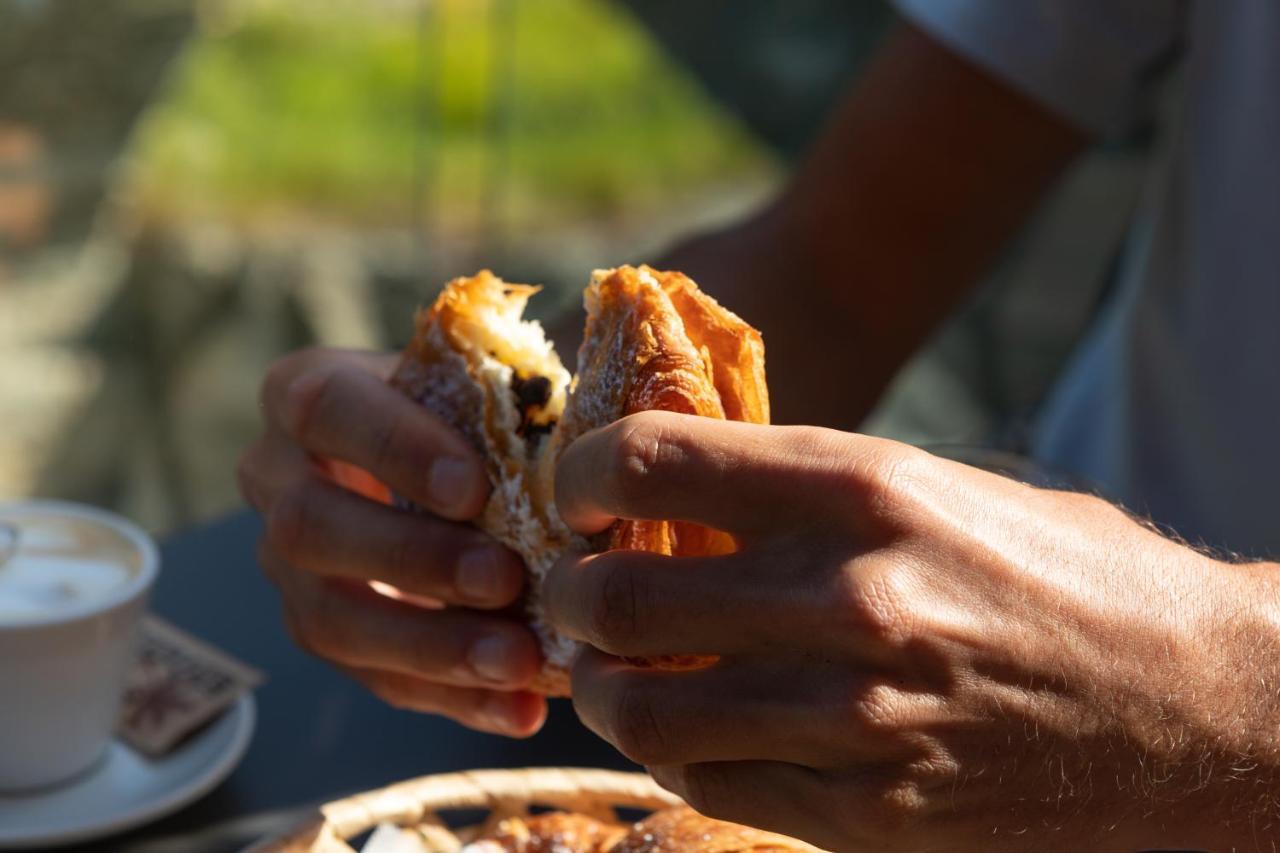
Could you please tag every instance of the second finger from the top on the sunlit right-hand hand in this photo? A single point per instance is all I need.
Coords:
(638, 604)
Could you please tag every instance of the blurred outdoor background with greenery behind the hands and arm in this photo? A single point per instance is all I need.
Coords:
(193, 188)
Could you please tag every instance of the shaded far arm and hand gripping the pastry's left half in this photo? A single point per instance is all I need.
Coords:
(826, 235)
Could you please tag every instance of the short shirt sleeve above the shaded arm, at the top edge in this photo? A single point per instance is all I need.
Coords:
(1094, 62)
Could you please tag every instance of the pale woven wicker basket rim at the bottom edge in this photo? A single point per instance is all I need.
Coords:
(419, 804)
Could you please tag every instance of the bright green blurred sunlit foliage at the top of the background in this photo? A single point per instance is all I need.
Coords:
(346, 110)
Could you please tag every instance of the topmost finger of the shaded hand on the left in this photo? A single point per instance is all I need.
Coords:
(350, 414)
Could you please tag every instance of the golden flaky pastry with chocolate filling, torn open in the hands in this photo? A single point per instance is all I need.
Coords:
(653, 341)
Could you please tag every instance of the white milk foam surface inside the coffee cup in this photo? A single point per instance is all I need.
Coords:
(62, 563)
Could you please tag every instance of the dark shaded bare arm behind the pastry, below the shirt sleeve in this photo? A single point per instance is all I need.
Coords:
(922, 176)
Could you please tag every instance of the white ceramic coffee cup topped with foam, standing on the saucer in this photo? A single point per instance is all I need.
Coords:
(63, 665)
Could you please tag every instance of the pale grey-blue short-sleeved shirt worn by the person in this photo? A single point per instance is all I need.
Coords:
(1173, 402)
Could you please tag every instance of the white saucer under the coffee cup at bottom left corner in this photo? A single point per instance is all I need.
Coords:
(125, 790)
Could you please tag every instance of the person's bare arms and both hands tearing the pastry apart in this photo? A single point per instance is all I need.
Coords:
(916, 655)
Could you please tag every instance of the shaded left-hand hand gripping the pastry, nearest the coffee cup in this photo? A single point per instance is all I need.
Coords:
(324, 544)
